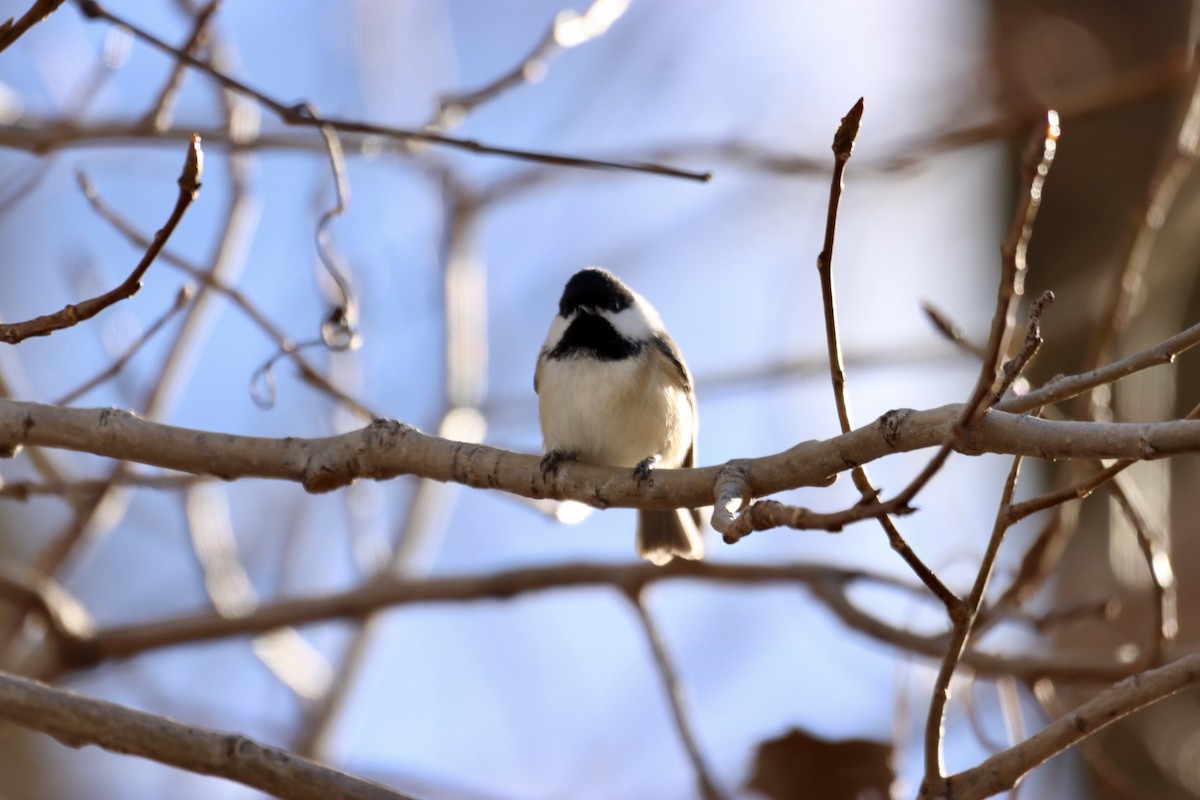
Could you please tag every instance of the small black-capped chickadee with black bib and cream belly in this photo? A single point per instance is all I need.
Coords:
(613, 389)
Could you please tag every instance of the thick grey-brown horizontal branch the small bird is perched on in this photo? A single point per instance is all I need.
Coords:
(389, 449)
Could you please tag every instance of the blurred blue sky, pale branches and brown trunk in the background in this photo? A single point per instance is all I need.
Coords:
(455, 262)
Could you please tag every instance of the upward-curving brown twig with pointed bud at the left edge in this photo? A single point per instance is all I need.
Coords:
(74, 315)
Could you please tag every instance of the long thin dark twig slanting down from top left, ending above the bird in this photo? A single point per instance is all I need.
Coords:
(298, 115)
